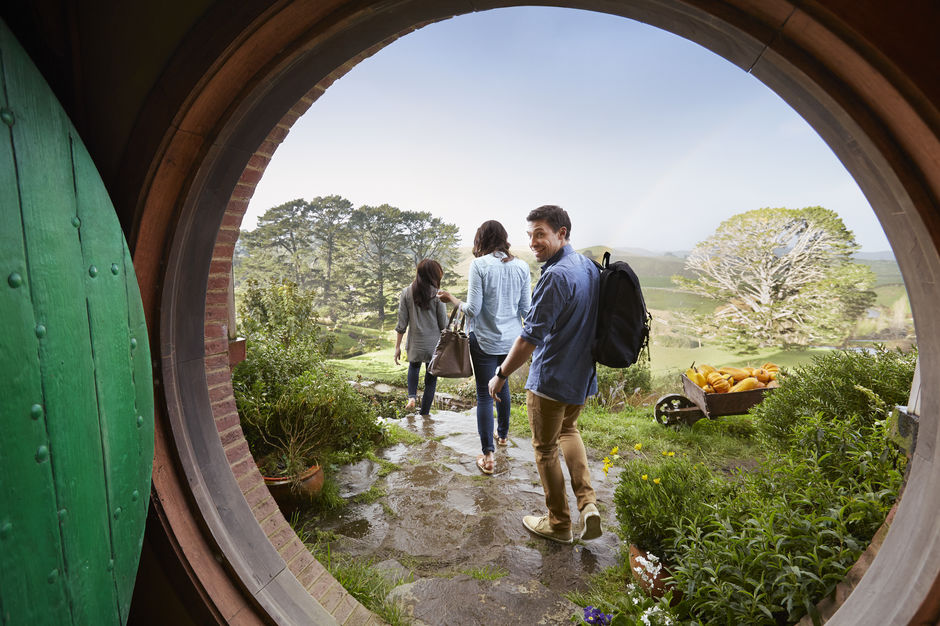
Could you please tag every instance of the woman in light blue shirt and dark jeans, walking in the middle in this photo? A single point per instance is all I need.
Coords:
(498, 298)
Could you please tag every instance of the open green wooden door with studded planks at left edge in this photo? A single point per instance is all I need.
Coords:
(76, 389)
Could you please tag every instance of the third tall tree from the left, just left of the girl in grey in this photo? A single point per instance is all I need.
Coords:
(378, 260)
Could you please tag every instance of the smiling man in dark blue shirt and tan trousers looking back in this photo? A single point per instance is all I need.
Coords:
(557, 334)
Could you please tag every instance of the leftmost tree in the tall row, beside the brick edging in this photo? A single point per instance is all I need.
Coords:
(284, 235)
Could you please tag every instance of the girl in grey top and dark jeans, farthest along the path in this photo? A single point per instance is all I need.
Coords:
(424, 316)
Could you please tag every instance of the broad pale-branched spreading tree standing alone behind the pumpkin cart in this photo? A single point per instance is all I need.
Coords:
(779, 277)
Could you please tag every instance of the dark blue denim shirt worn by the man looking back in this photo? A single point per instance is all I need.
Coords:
(561, 324)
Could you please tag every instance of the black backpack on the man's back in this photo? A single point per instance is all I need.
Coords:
(623, 323)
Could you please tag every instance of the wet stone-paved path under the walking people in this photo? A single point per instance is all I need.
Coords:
(441, 517)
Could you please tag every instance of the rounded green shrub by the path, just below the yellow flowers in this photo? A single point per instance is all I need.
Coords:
(652, 497)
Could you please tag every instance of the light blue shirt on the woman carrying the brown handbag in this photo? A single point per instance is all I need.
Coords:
(498, 300)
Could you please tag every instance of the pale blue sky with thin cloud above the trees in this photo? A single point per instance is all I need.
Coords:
(647, 140)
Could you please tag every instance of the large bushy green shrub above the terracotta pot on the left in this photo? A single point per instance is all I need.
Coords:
(292, 407)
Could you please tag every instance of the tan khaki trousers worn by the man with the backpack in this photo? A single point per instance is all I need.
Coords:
(555, 424)
